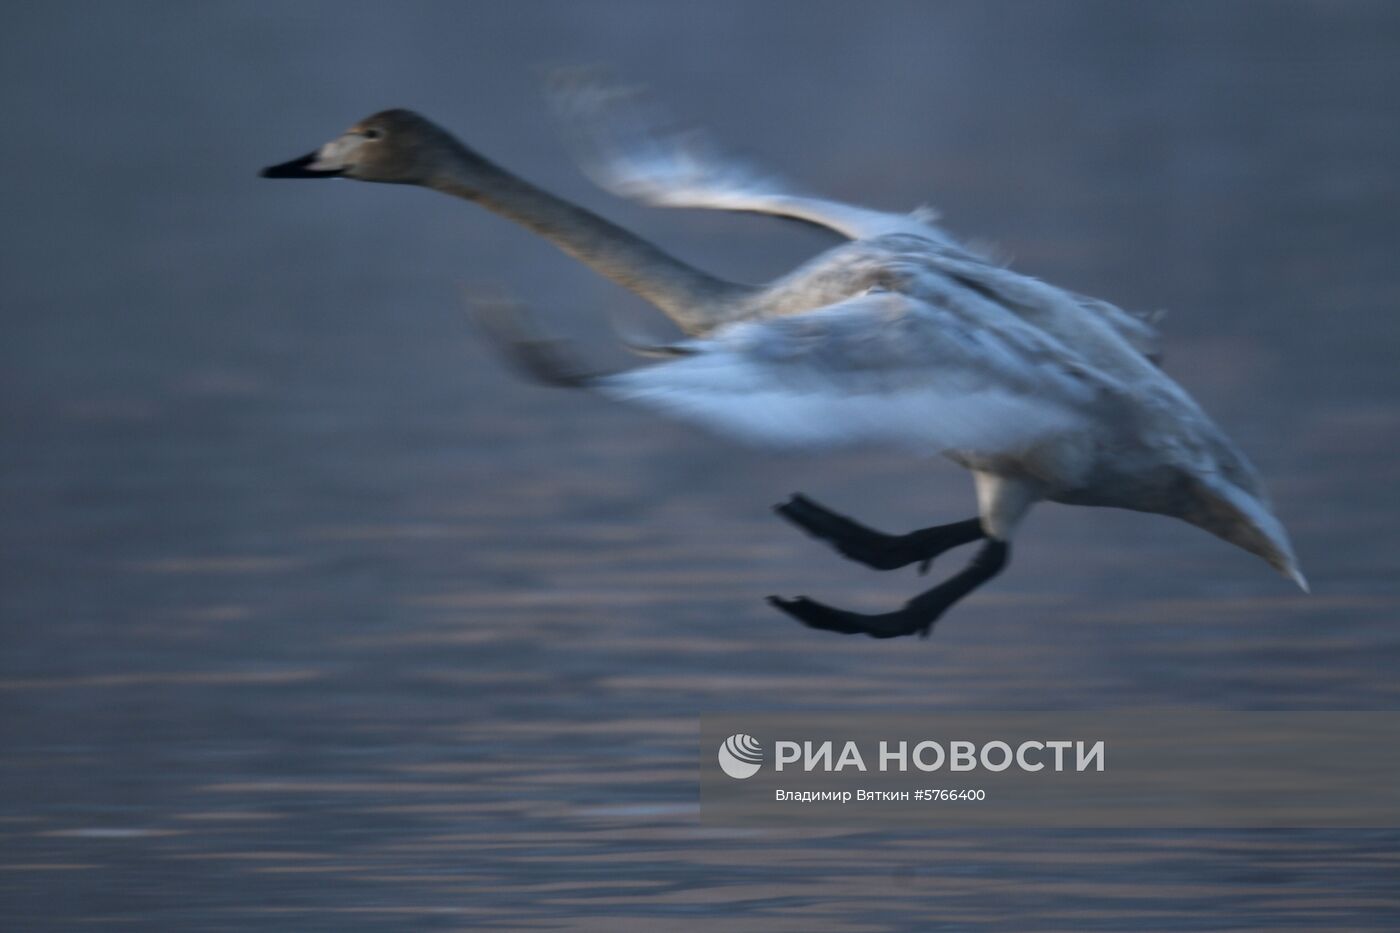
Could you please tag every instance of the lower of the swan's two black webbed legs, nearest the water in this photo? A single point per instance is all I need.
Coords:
(918, 616)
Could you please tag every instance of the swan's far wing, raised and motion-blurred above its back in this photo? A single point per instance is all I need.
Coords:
(629, 148)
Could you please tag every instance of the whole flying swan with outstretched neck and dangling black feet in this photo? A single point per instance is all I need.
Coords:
(899, 337)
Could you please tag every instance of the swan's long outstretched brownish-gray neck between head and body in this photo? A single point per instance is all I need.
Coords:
(691, 298)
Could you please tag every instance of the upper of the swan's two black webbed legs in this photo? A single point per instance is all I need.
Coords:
(873, 548)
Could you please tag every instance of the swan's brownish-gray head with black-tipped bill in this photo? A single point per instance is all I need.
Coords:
(393, 146)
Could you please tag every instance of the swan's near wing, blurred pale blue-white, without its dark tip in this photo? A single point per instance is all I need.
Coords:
(880, 369)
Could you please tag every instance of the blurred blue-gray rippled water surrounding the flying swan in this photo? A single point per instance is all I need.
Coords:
(314, 620)
